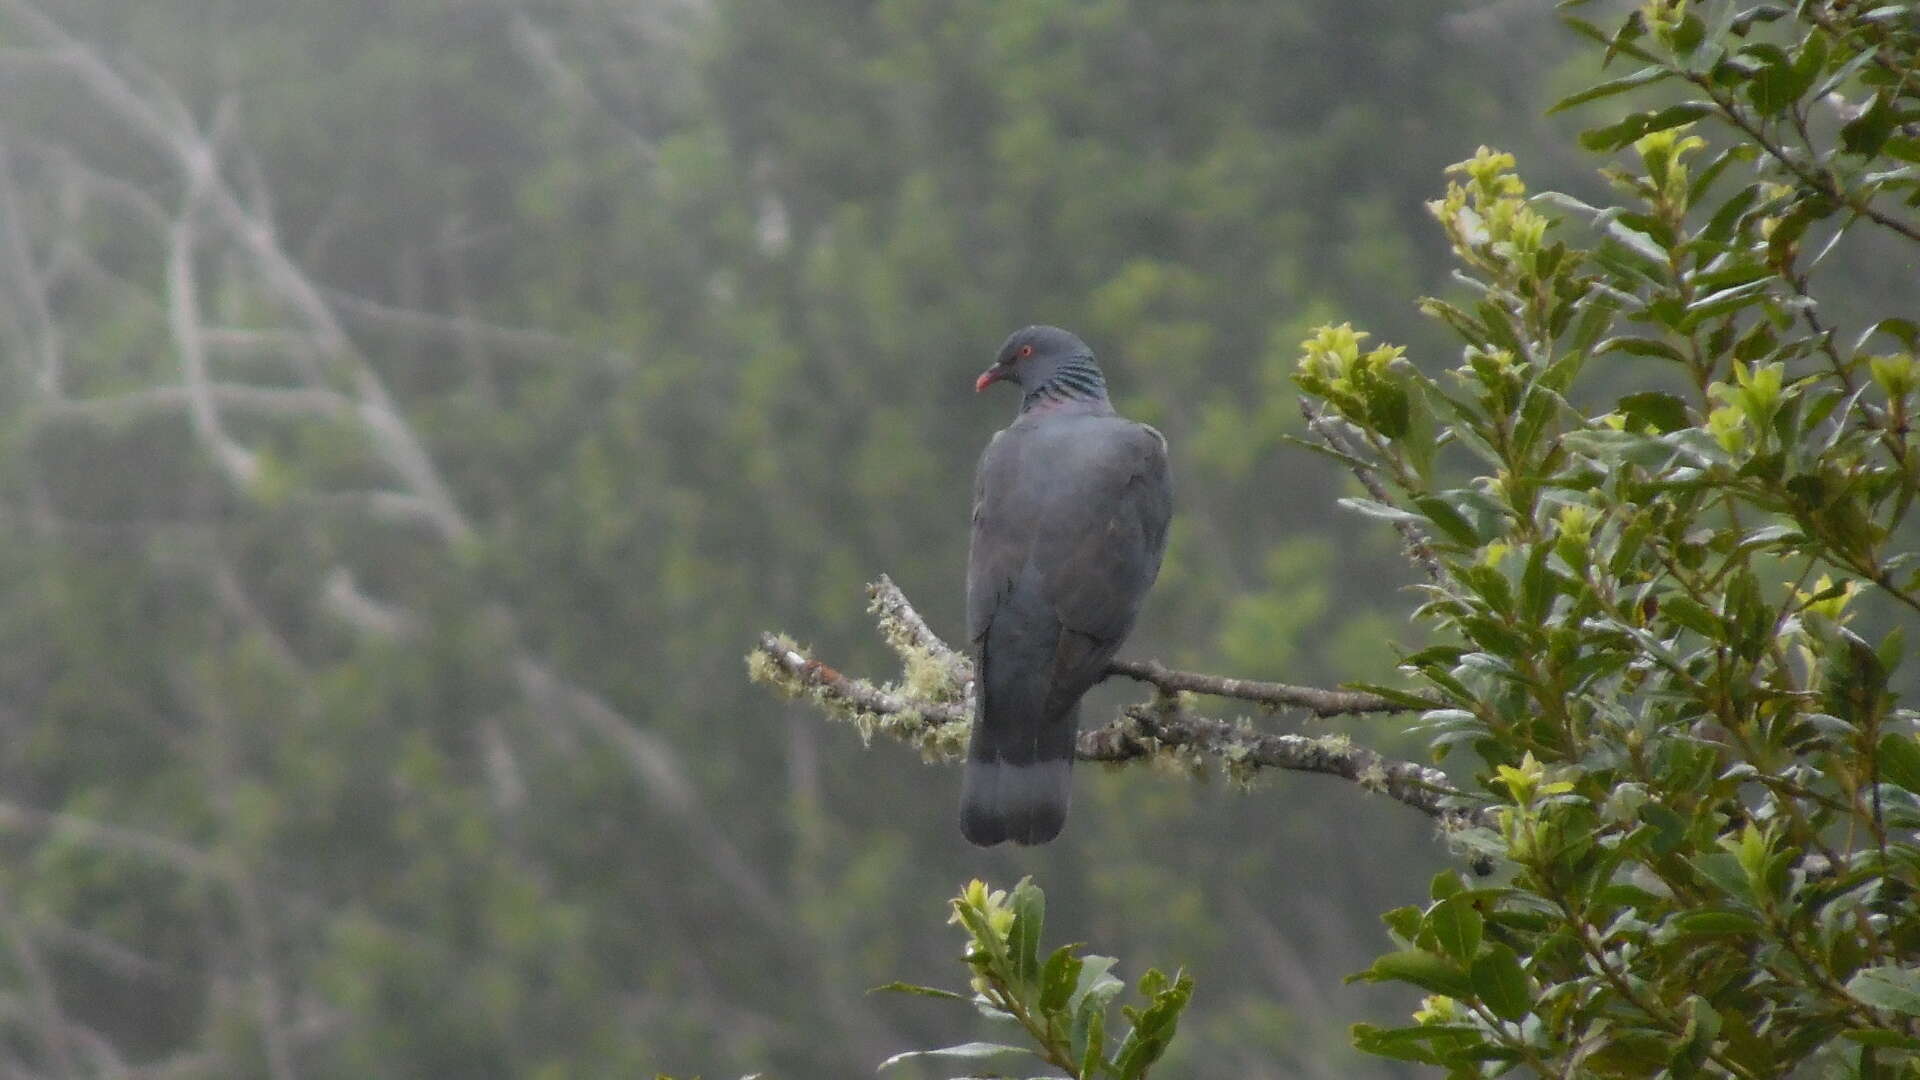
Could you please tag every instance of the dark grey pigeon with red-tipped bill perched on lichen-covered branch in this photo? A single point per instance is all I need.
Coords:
(1070, 522)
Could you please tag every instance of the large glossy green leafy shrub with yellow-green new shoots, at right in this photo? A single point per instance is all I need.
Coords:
(1669, 622)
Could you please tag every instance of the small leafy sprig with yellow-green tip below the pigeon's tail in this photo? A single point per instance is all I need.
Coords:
(1061, 1002)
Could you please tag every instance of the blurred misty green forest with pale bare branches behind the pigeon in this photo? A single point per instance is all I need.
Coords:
(412, 410)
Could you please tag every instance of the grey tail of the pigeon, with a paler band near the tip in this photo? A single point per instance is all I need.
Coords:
(1019, 779)
